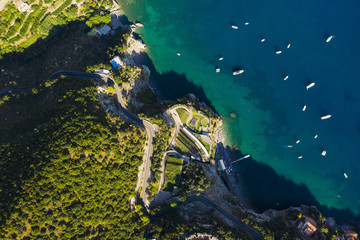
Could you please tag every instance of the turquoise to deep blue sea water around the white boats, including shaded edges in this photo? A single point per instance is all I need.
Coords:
(269, 109)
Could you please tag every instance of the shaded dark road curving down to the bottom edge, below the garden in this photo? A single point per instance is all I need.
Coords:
(250, 231)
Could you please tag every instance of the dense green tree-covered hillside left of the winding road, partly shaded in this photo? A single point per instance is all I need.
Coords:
(67, 168)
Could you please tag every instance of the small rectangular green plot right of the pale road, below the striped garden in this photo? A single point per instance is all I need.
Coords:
(172, 172)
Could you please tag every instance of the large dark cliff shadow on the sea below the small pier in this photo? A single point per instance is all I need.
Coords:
(266, 189)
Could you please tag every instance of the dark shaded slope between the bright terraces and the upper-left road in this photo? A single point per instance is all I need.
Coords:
(67, 47)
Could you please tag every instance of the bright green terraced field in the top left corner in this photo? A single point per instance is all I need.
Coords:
(18, 30)
